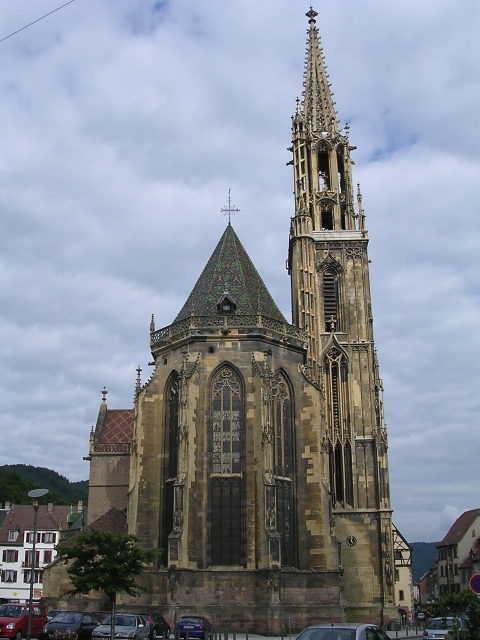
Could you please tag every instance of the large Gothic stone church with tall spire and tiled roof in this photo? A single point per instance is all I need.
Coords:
(255, 455)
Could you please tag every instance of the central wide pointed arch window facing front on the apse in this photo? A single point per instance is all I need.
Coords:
(227, 528)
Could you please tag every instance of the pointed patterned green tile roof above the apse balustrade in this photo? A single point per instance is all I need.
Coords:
(230, 270)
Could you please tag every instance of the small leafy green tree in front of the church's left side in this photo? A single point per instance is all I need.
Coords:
(105, 561)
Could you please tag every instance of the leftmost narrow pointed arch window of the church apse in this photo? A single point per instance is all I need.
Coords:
(171, 460)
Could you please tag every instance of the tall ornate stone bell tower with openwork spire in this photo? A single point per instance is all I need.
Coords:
(329, 268)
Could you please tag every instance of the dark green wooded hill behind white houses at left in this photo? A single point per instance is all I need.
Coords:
(16, 480)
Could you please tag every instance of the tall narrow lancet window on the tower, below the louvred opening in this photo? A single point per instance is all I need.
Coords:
(338, 426)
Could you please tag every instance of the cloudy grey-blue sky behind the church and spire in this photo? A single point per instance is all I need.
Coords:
(123, 125)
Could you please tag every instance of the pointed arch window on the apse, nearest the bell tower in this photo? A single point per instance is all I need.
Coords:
(282, 424)
